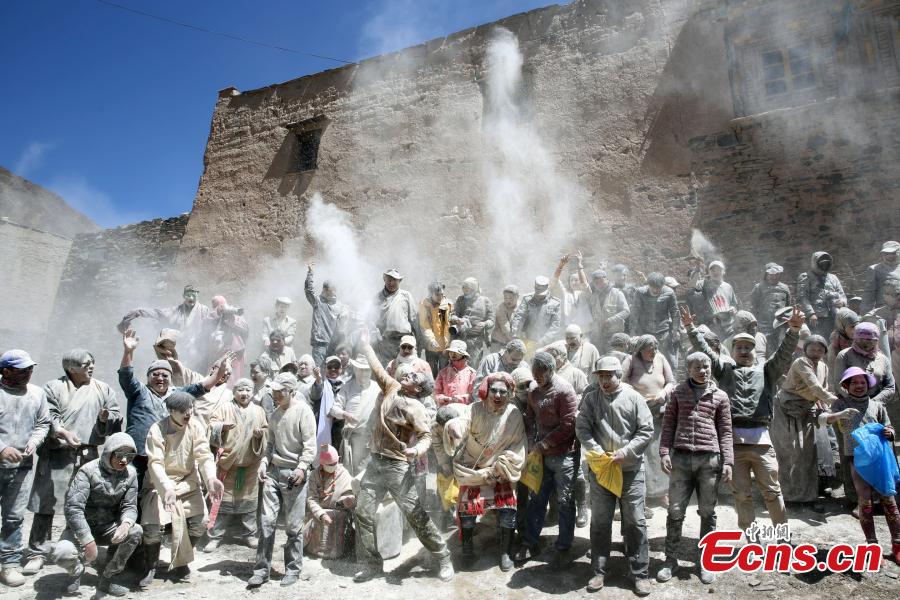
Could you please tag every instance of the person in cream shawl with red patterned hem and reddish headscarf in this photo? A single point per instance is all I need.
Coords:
(489, 464)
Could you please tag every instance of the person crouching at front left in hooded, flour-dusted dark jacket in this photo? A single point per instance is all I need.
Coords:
(101, 510)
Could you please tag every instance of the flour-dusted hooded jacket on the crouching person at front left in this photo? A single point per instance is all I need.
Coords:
(99, 494)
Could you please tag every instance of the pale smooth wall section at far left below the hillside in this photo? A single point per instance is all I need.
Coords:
(33, 261)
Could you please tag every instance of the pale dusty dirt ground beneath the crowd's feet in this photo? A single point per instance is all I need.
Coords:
(222, 575)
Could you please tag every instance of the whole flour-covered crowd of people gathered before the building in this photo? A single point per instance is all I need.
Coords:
(587, 395)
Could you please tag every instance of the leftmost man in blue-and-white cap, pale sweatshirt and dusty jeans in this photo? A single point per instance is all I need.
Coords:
(24, 423)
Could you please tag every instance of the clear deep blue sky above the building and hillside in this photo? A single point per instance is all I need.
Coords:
(111, 109)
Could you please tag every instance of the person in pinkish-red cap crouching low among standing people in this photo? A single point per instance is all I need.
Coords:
(328, 532)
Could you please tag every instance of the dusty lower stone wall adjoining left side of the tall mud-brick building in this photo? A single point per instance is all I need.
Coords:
(106, 275)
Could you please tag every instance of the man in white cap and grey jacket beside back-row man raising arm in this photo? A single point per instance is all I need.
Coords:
(395, 316)
